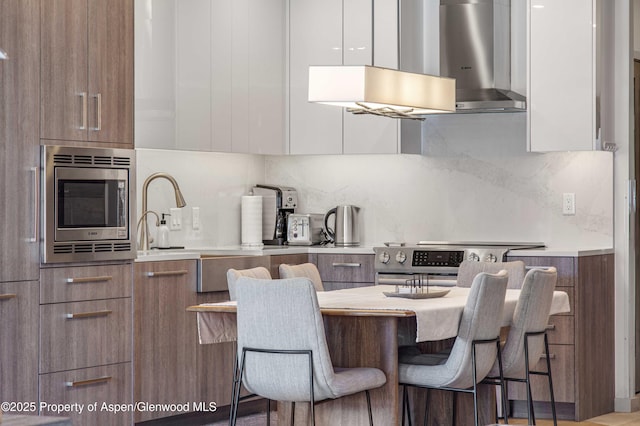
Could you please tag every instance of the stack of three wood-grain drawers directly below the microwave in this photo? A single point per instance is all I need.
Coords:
(86, 342)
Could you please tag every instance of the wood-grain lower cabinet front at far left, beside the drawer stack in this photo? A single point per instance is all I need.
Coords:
(19, 342)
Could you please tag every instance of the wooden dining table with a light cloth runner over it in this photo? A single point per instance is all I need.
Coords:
(362, 326)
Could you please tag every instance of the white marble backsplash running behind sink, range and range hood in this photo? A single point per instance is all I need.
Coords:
(477, 184)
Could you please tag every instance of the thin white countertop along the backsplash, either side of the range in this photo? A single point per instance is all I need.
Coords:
(196, 252)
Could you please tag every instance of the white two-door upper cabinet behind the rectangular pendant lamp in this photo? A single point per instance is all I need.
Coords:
(353, 32)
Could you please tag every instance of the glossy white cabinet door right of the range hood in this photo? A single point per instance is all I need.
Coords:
(561, 113)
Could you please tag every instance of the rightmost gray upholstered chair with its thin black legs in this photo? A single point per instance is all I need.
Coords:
(527, 338)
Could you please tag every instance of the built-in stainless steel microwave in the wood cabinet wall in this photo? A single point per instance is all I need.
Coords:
(86, 199)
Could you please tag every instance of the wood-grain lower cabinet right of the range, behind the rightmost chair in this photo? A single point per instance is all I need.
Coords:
(581, 341)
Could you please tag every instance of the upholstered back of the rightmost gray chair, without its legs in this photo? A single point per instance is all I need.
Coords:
(531, 315)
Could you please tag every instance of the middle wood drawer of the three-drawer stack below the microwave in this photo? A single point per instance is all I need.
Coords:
(84, 334)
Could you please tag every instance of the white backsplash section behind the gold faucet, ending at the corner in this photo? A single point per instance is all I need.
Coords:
(212, 181)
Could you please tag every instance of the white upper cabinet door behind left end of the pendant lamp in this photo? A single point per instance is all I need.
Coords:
(315, 38)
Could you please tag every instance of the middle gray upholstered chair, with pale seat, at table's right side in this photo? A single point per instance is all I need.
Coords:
(475, 350)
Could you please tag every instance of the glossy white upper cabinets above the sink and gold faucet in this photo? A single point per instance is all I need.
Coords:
(210, 75)
